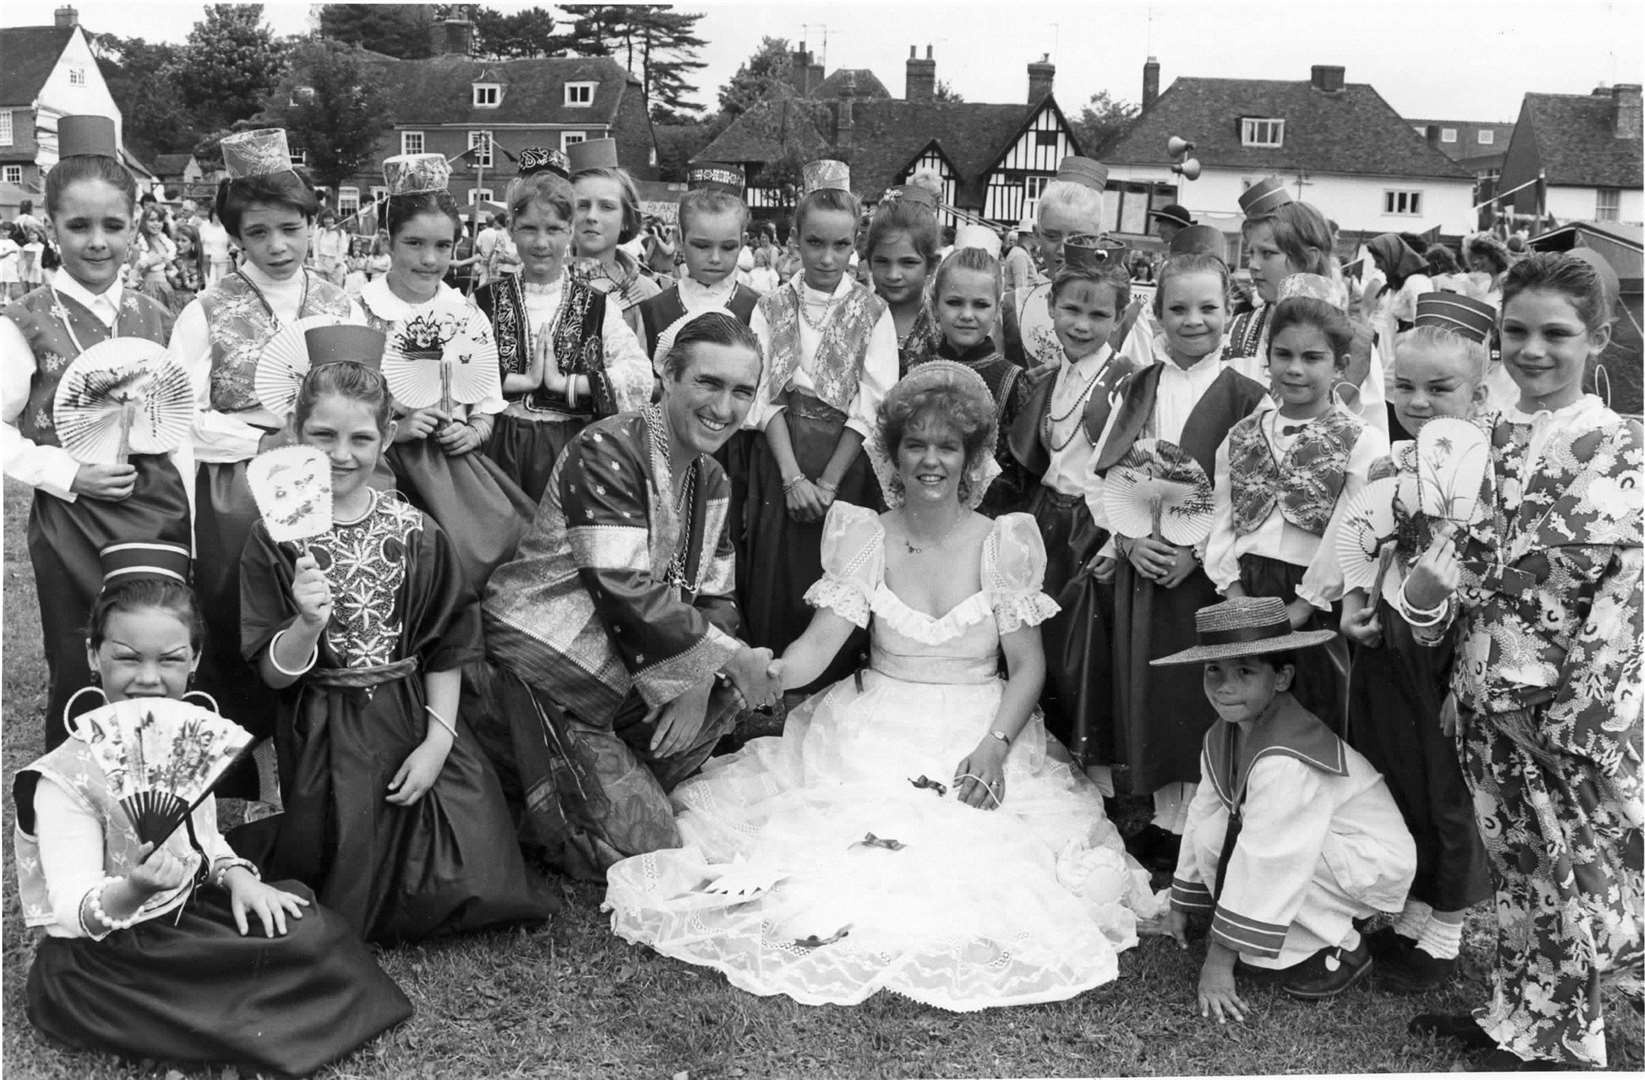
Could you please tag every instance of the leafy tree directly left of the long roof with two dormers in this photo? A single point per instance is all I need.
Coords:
(333, 108)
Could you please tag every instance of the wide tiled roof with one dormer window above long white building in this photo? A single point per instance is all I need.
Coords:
(1351, 132)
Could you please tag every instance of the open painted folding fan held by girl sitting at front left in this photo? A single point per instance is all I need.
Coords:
(162, 759)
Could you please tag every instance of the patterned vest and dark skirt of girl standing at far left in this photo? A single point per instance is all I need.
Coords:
(65, 537)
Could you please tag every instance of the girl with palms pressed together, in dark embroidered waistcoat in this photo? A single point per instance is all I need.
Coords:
(565, 353)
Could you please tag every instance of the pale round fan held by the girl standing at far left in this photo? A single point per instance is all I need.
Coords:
(123, 397)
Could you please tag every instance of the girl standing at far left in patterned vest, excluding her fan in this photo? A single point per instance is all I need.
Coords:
(80, 509)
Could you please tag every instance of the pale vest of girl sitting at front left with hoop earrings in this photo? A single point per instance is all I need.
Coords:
(73, 768)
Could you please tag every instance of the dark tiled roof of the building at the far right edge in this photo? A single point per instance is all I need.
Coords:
(1575, 137)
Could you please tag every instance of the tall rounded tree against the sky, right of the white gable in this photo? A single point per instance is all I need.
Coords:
(229, 65)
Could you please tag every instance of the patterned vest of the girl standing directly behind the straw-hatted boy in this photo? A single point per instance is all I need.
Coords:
(1305, 486)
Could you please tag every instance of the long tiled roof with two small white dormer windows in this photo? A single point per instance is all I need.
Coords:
(440, 90)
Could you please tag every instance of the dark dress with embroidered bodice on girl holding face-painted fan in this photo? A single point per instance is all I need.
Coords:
(396, 874)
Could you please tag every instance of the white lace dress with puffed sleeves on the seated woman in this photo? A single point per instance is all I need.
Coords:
(948, 905)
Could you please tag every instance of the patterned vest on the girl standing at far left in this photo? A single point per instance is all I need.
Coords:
(53, 346)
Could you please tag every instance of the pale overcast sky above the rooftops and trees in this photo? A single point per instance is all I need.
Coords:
(1457, 60)
